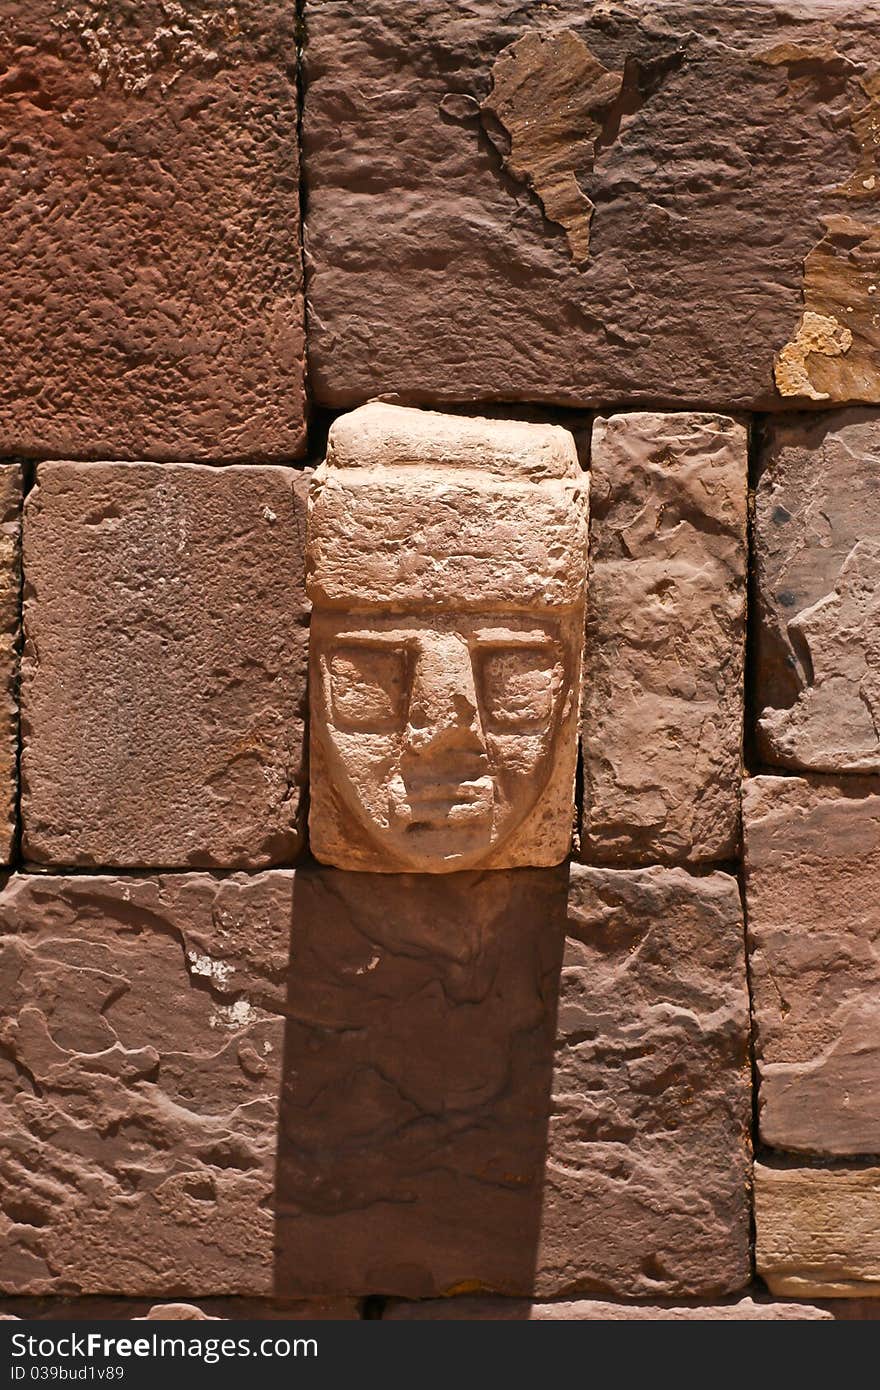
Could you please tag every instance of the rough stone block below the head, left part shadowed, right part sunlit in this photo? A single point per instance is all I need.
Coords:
(444, 1132)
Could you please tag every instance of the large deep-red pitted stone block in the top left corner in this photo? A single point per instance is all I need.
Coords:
(152, 291)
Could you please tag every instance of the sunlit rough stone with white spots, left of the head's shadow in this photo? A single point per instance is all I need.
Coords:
(140, 1063)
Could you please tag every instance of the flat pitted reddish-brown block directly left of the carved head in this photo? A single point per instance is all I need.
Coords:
(165, 667)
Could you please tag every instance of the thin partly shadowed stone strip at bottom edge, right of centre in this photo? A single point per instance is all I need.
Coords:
(583, 1310)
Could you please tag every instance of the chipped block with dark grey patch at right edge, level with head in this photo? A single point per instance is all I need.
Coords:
(818, 557)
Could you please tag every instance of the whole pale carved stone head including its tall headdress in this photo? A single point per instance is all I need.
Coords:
(447, 568)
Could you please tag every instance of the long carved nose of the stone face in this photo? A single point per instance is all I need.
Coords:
(444, 704)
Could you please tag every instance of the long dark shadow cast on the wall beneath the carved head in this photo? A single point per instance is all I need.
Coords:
(418, 1075)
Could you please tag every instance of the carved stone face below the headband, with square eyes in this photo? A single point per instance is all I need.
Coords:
(440, 733)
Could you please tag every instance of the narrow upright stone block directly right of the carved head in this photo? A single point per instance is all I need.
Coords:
(662, 729)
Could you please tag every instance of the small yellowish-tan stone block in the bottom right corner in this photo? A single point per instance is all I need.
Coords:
(818, 1231)
